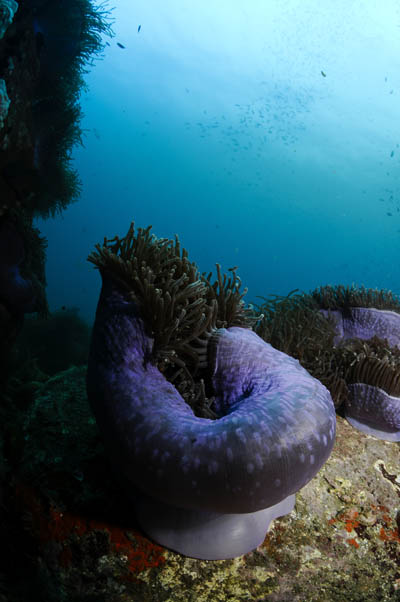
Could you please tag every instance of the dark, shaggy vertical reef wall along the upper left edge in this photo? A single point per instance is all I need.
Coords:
(45, 47)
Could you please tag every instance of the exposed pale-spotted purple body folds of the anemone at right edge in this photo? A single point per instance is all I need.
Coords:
(369, 408)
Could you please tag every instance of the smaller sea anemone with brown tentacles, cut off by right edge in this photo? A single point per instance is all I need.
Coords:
(348, 338)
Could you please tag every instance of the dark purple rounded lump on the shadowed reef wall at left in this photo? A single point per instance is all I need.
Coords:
(16, 292)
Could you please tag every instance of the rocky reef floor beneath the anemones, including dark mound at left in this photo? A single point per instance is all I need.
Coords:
(75, 536)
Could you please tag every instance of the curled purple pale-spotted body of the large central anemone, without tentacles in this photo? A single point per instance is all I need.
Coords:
(205, 488)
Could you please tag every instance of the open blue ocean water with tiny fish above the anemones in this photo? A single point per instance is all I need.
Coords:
(265, 134)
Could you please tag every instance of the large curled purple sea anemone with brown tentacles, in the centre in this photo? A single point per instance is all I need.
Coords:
(206, 487)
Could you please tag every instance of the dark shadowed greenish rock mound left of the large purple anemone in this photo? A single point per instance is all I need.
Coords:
(62, 456)
